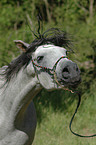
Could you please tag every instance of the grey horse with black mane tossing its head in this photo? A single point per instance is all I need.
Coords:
(42, 64)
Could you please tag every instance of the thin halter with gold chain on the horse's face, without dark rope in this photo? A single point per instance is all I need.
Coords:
(51, 72)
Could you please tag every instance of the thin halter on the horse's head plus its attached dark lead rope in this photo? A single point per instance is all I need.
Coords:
(52, 72)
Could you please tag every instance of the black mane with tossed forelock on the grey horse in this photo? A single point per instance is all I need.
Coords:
(52, 36)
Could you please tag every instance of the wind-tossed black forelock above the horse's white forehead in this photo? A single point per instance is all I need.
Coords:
(51, 36)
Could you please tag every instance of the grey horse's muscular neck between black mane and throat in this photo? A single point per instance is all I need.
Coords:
(20, 91)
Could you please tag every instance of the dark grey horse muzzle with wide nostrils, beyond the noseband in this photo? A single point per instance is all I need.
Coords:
(68, 73)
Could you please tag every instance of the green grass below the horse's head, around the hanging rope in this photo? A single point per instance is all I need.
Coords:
(54, 111)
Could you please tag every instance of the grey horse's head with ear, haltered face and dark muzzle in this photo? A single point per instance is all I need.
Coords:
(51, 64)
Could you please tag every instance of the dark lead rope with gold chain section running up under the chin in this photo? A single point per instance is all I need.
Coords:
(78, 104)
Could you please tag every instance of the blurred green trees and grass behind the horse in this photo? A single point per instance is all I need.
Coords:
(54, 109)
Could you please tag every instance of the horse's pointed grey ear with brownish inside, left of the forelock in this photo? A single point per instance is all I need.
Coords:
(22, 45)
